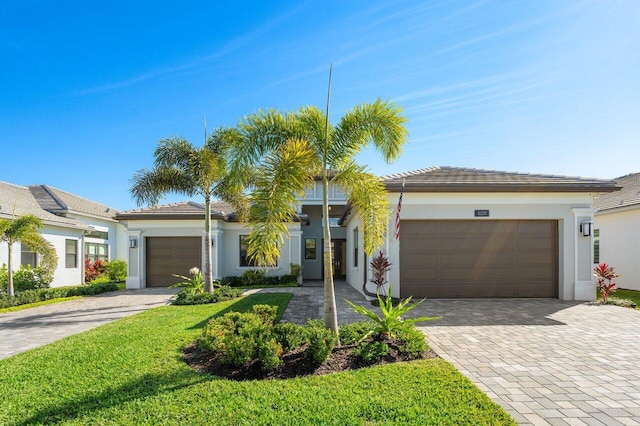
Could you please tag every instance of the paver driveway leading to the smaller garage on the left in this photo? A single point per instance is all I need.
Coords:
(30, 328)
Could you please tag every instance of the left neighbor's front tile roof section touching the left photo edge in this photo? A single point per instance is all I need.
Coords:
(18, 200)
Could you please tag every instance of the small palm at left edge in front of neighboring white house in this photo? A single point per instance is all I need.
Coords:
(26, 229)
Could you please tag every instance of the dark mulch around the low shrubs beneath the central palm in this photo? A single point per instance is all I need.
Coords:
(295, 363)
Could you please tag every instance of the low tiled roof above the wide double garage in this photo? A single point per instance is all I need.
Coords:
(461, 179)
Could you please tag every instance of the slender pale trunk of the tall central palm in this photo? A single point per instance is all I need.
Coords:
(330, 312)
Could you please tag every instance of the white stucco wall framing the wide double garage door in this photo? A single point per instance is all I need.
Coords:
(569, 209)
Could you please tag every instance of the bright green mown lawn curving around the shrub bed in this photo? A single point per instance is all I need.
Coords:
(130, 372)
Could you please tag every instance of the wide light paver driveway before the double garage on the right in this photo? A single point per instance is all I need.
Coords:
(545, 361)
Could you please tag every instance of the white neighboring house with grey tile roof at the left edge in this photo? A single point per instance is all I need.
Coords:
(78, 228)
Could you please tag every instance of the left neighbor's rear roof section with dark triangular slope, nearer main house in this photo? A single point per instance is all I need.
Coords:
(60, 202)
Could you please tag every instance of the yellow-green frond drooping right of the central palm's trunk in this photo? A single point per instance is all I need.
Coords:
(368, 197)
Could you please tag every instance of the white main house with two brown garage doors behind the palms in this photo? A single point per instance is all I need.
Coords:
(464, 233)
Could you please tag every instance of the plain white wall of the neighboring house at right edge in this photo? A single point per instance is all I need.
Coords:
(620, 244)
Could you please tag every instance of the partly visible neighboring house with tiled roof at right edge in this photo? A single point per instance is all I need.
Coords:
(617, 230)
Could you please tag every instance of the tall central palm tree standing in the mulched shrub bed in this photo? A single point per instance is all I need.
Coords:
(279, 154)
